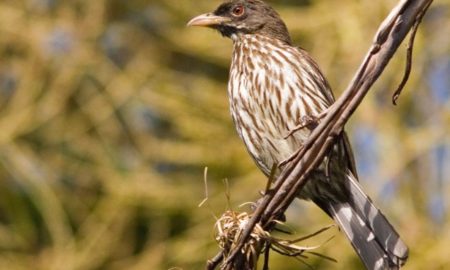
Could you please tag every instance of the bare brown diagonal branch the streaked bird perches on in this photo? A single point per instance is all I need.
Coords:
(405, 16)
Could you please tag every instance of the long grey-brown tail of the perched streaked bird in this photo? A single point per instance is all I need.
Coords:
(375, 240)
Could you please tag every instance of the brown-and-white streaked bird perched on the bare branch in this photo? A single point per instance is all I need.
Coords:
(277, 95)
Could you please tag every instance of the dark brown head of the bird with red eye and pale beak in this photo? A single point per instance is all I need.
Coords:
(237, 17)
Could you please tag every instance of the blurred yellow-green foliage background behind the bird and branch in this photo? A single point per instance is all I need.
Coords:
(111, 110)
